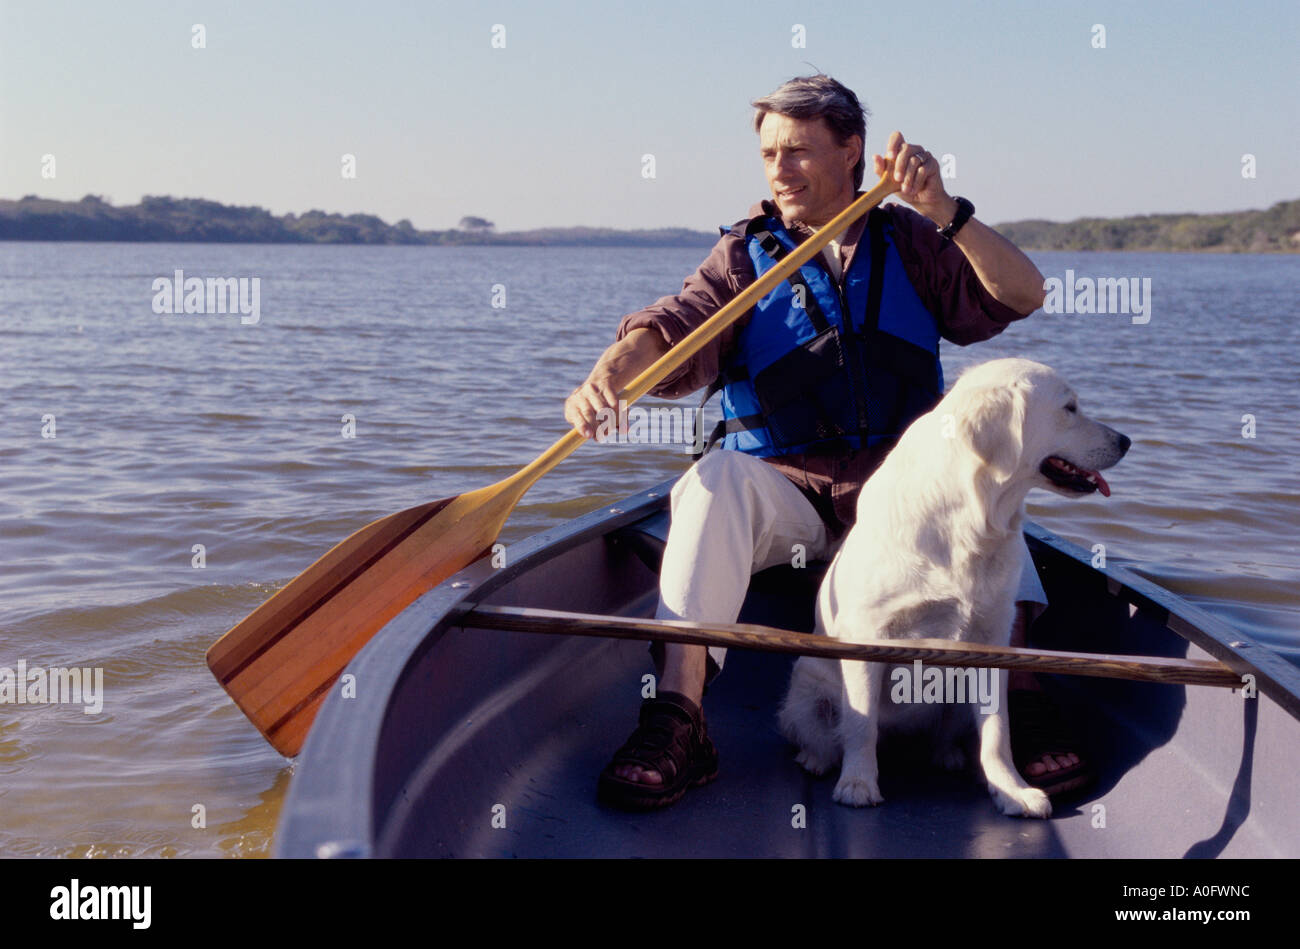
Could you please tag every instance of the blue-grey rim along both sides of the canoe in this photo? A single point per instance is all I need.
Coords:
(330, 811)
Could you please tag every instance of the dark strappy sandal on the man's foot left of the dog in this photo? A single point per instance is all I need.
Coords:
(670, 739)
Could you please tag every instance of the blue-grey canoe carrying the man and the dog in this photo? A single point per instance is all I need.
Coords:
(458, 742)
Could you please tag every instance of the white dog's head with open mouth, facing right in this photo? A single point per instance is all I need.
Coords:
(1024, 423)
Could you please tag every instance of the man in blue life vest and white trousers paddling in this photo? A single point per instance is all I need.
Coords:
(818, 382)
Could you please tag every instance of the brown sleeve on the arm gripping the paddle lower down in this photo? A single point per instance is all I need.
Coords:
(709, 289)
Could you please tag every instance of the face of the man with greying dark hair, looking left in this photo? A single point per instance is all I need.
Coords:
(809, 172)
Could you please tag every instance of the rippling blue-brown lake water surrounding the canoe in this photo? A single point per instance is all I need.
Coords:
(181, 431)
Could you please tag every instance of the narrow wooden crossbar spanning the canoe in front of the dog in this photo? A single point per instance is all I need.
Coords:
(933, 652)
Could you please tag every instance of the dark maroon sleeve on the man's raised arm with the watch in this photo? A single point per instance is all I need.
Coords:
(947, 283)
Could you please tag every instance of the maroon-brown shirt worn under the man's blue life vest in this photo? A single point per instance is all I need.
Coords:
(944, 280)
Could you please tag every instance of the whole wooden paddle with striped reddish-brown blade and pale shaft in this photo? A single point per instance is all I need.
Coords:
(281, 661)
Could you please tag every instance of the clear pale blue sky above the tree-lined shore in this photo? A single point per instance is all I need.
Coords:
(551, 129)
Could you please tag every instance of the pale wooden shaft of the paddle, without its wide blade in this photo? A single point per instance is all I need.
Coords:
(704, 335)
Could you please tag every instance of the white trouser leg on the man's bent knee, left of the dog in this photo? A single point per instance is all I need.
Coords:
(733, 517)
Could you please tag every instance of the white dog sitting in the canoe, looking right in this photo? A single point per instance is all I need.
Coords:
(937, 553)
